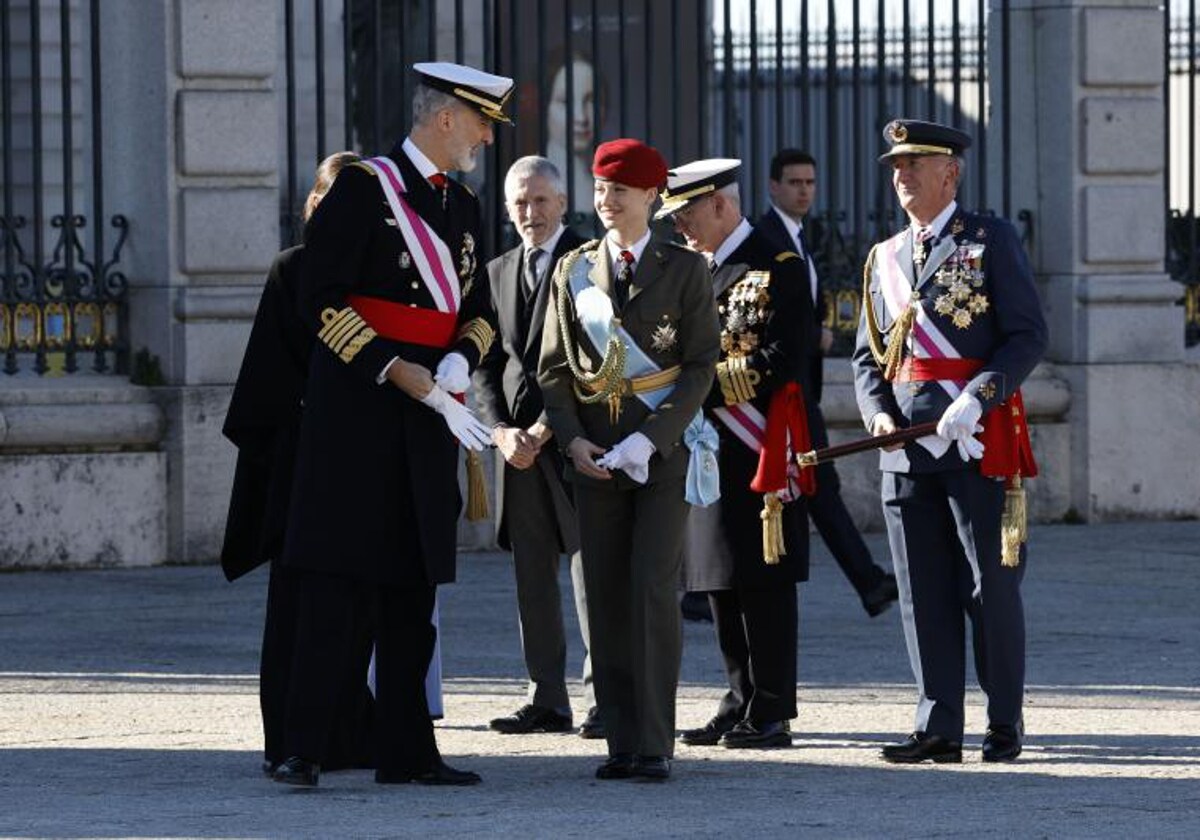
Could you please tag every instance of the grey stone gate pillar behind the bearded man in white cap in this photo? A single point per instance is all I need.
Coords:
(190, 121)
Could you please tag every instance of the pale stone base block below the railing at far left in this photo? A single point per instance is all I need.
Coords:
(95, 509)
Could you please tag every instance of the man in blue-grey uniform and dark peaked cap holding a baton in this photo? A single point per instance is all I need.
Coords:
(951, 328)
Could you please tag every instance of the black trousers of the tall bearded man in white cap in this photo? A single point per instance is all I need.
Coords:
(329, 615)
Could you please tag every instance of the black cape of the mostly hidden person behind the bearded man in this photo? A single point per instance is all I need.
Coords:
(265, 422)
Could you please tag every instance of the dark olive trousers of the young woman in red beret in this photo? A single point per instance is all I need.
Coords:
(633, 549)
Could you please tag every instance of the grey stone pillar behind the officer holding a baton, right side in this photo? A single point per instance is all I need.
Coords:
(1088, 111)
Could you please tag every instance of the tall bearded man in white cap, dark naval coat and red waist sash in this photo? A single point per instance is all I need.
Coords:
(392, 286)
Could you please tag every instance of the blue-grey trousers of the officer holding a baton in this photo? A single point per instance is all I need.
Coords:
(945, 536)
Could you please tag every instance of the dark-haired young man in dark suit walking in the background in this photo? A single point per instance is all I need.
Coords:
(793, 187)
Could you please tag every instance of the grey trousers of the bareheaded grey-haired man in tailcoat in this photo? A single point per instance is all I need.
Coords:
(533, 533)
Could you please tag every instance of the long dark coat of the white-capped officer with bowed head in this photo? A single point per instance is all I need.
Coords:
(784, 335)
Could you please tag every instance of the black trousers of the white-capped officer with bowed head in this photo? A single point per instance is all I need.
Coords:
(757, 633)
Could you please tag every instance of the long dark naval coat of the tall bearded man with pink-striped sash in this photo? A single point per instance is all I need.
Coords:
(376, 496)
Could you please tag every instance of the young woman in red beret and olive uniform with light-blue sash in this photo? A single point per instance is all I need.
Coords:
(629, 350)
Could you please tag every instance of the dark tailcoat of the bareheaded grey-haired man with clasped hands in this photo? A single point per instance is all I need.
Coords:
(507, 389)
